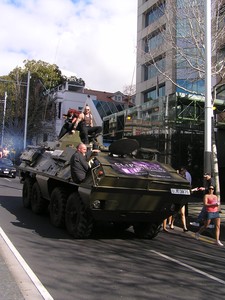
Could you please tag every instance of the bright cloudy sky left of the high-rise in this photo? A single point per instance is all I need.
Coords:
(92, 39)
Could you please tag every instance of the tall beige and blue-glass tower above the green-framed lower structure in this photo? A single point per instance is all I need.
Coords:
(171, 47)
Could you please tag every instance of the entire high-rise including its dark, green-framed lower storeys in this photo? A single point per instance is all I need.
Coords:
(169, 111)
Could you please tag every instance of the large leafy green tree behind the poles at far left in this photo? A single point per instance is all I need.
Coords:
(44, 77)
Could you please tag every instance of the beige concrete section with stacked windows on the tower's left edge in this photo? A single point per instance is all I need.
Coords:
(150, 27)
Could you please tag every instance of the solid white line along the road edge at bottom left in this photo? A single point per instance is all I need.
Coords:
(42, 290)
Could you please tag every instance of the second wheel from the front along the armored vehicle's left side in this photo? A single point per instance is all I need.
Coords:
(58, 207)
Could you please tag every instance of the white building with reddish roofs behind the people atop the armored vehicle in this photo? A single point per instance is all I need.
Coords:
(73, 94)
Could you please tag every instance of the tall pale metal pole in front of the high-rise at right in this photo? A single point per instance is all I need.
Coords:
(208, 91)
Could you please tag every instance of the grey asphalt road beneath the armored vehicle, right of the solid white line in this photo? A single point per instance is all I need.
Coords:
(111, 265)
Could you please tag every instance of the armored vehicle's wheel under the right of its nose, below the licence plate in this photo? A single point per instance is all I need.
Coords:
(146, 230)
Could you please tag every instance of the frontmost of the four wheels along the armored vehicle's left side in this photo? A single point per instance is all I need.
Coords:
(79, 221)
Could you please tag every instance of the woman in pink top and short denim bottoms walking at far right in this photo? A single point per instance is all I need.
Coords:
(211, 204)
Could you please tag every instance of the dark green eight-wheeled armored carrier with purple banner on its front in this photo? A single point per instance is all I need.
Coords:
(121, 188)
